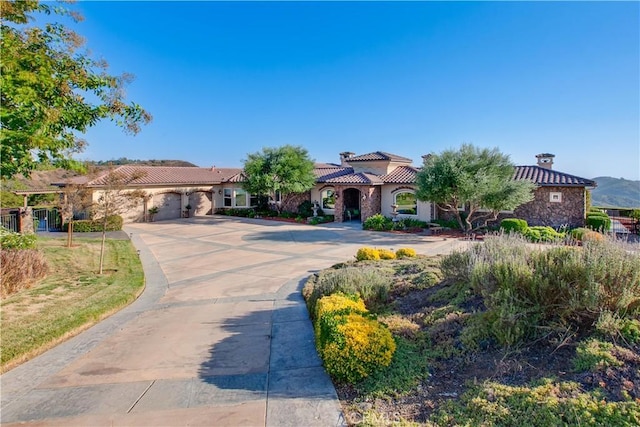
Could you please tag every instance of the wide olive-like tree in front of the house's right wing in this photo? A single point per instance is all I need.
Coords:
(478, 180)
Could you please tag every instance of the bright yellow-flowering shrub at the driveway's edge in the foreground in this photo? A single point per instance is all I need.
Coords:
(351, 344)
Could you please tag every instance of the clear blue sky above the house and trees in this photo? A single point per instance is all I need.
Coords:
(223, 79)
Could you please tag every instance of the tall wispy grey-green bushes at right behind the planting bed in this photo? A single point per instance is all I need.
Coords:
(525, 289)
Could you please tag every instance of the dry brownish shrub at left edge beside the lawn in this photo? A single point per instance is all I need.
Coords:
(21, 268)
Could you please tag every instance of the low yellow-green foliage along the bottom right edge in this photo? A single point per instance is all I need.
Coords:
(547, 404)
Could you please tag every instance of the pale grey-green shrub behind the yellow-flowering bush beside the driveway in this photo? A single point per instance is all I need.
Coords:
(372, 285)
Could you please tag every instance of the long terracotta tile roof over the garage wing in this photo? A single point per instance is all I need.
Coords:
(165, 175)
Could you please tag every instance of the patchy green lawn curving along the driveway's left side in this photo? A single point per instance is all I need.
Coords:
(70, 299)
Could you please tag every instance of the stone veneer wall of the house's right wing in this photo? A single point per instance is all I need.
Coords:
(541, 211)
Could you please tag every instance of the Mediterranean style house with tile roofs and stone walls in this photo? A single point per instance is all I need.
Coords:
(358, 187)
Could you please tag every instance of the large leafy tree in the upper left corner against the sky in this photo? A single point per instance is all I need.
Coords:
(45, 80)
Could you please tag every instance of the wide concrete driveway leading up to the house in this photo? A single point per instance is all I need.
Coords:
(220, 336)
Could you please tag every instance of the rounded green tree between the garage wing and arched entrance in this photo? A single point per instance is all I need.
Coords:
(287, 170)
